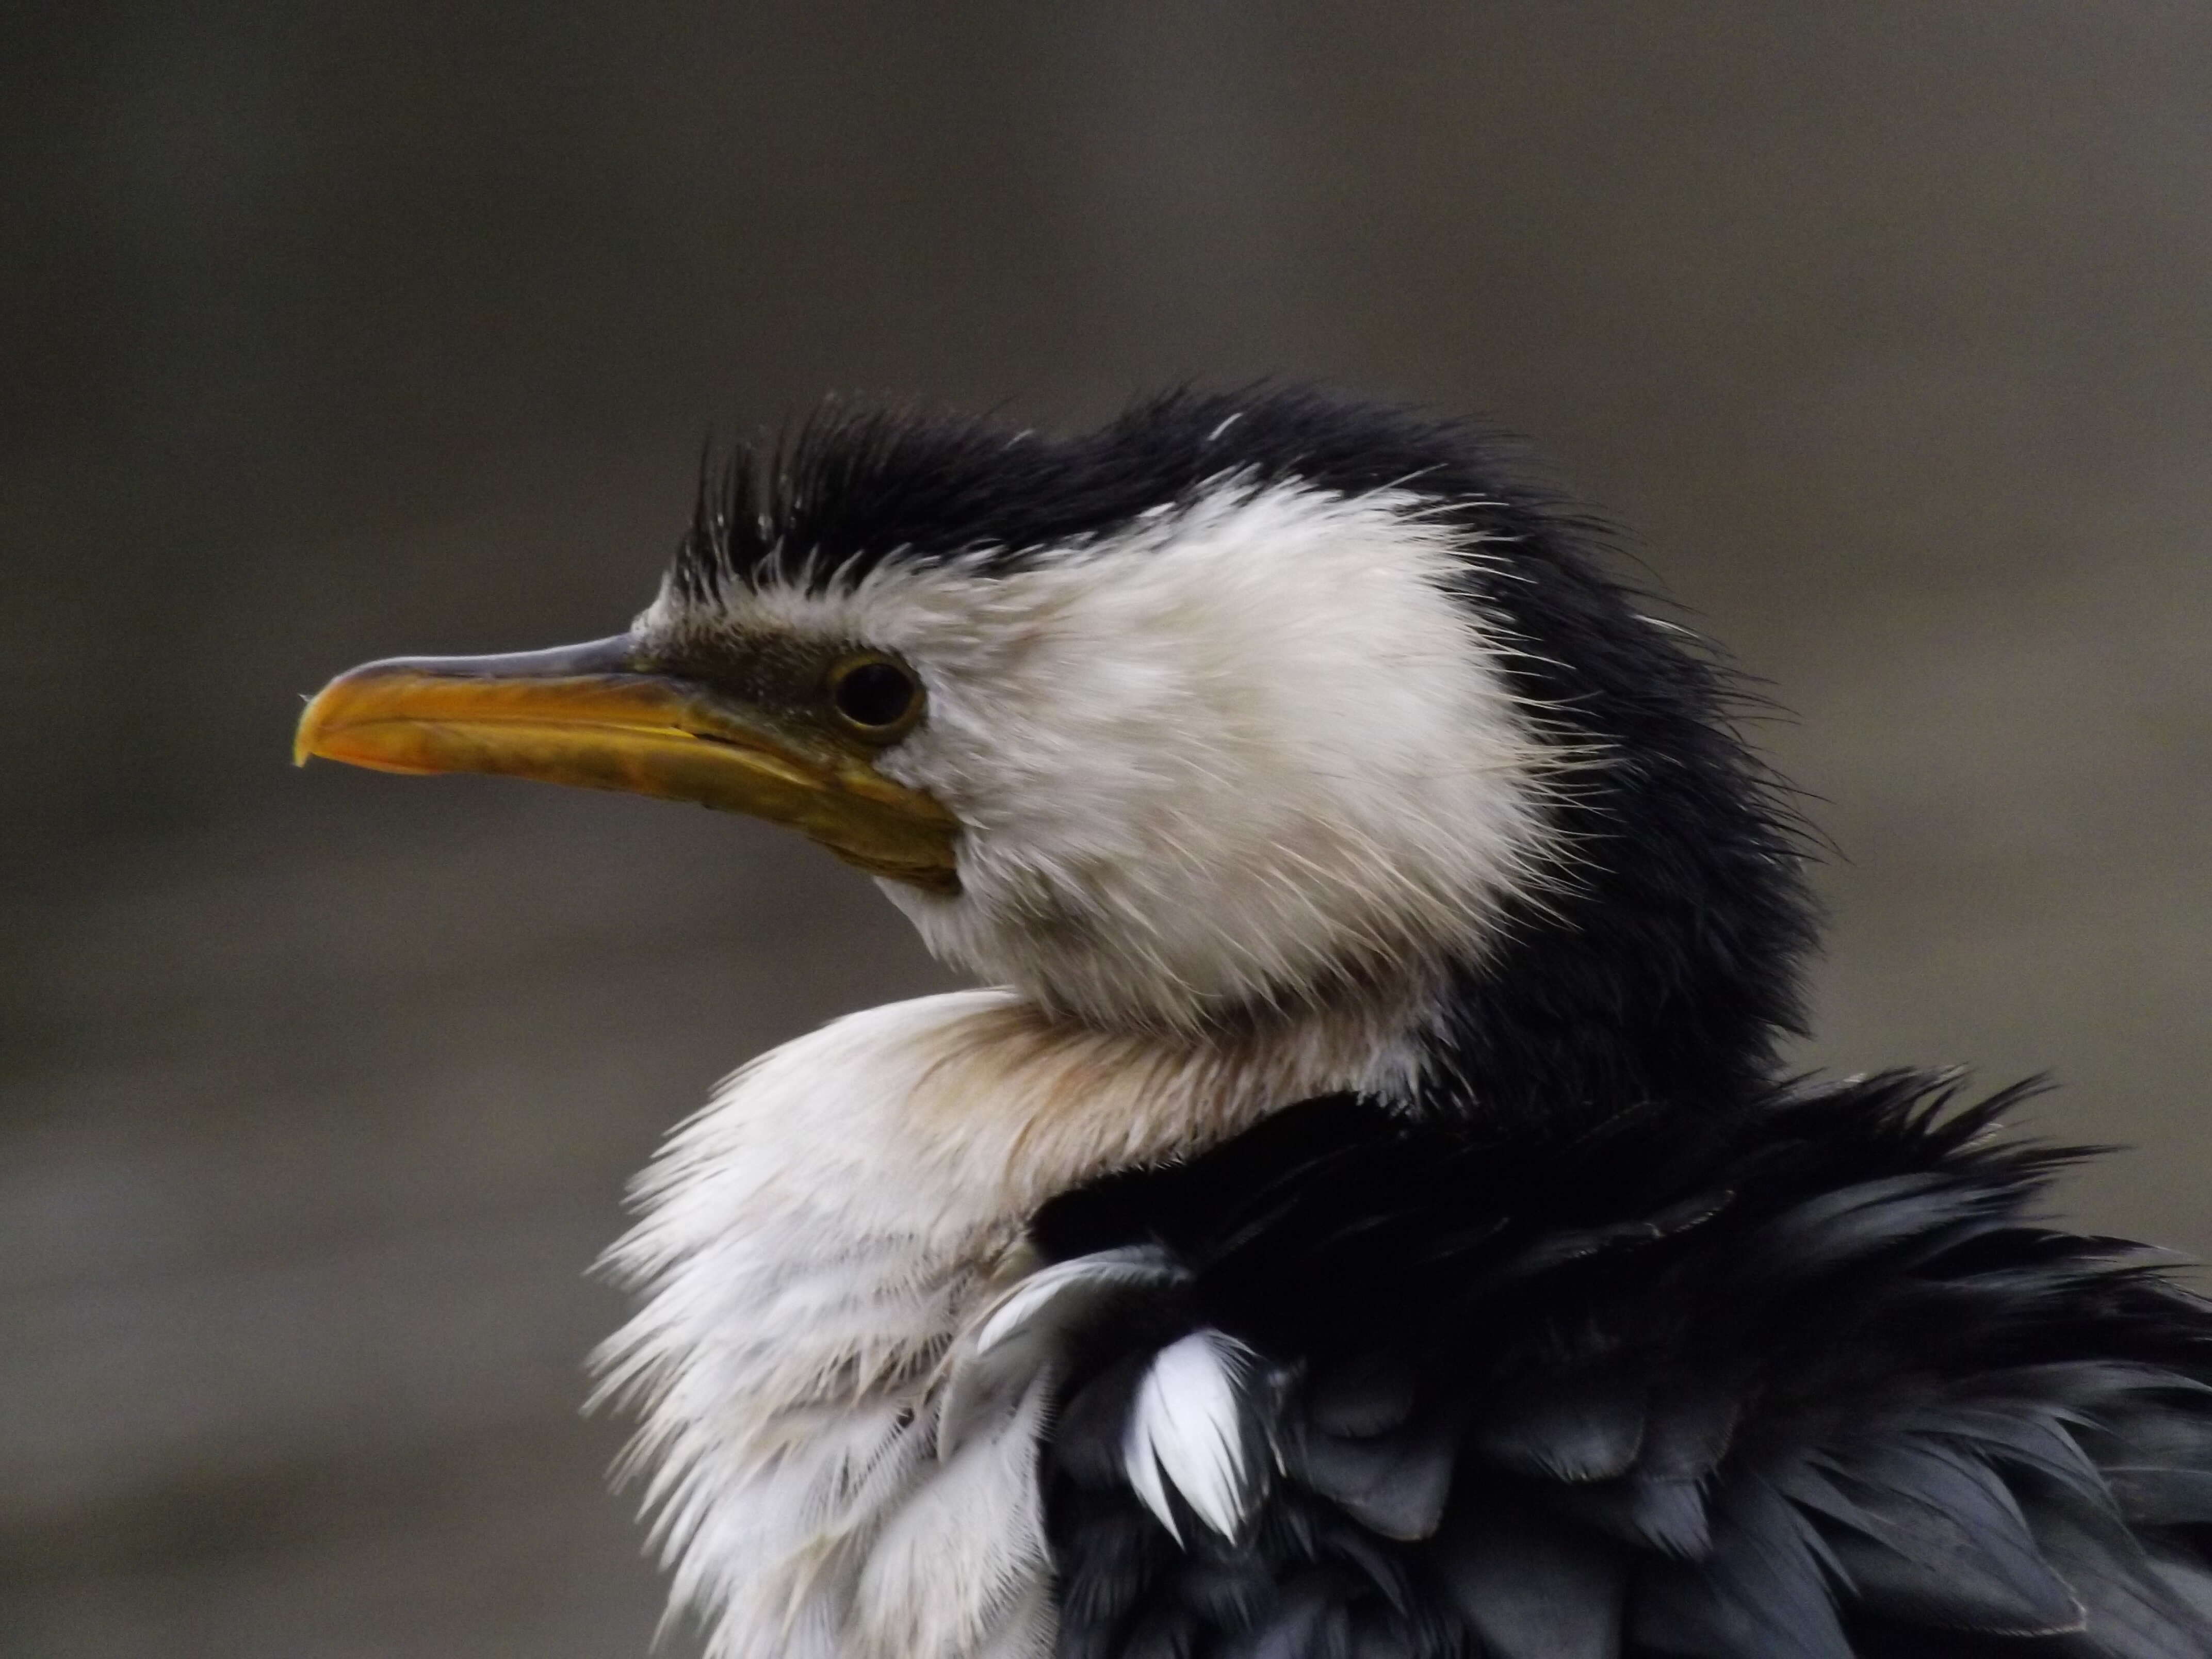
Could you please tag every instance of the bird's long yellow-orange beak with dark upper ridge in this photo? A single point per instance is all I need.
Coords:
(585, 716)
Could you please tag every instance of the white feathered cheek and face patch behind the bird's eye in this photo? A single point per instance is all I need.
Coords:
(1224, 758)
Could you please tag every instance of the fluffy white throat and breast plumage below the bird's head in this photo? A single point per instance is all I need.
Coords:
(839, 1419)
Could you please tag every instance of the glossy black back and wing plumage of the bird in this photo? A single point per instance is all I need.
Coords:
(1784, 1379)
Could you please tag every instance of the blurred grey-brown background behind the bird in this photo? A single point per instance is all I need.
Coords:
(335, 333)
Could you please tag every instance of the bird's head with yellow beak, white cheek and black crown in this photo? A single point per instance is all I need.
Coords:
(1238, 711)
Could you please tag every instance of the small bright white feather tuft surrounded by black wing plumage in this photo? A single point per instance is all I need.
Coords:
(1187, 1430)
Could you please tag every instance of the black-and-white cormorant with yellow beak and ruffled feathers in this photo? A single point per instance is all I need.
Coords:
(1364, 1209)
